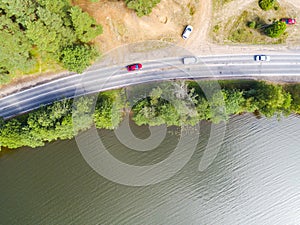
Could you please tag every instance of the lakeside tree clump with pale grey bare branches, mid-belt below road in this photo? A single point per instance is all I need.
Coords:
(170, 104)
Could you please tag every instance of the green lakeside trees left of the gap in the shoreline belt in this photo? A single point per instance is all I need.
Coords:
(55, 121)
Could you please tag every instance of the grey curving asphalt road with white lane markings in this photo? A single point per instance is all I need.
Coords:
(232, 66)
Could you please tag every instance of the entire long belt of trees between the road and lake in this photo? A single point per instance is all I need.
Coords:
(172, 103)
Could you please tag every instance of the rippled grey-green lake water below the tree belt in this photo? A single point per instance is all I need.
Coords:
(254, 179)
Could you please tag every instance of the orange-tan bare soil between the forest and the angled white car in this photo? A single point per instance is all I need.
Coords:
(122, 26)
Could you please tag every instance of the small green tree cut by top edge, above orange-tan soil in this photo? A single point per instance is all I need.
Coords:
(142, 7)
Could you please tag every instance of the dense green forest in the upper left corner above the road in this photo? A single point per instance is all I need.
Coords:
(39, 33)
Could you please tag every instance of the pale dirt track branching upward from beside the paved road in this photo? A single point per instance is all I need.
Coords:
(199, 43)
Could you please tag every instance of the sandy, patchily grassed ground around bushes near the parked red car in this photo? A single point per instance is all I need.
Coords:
(232, 27)
